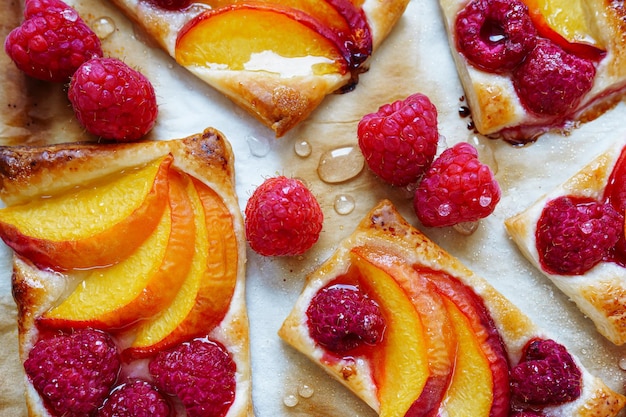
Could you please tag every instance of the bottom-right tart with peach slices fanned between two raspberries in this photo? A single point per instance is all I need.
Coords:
(413, 332)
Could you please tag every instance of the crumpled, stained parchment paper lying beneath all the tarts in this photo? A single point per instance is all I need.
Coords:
(415, 58)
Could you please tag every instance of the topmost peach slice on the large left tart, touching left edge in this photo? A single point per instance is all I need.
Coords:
(96, 225)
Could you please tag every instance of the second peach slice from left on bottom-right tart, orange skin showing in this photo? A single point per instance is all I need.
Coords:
(439, 334)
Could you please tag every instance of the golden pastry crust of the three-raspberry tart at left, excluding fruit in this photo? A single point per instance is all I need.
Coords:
(26, 172)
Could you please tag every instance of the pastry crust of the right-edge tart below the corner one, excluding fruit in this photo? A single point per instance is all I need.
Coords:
(600, 293)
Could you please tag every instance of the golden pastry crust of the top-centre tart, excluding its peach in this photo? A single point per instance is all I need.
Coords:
(279, 101)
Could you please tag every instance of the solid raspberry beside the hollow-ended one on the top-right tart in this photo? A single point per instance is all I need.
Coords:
(550, 81)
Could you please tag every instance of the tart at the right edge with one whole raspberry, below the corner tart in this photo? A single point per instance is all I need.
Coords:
(575, 235)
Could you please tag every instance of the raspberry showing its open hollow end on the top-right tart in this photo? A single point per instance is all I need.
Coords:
(495, 35)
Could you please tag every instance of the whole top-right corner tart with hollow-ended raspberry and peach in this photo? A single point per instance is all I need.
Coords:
(533, 66)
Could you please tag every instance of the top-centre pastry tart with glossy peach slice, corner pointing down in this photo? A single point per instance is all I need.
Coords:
(276, 59)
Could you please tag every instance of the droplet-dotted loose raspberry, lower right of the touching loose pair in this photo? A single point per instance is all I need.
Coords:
(457, 188)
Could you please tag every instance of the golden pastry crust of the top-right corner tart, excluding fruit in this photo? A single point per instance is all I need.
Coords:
(496, 109)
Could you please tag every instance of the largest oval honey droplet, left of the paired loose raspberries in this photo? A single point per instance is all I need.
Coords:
(340, 164)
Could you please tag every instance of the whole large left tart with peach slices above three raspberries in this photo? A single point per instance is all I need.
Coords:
(128, 275)
